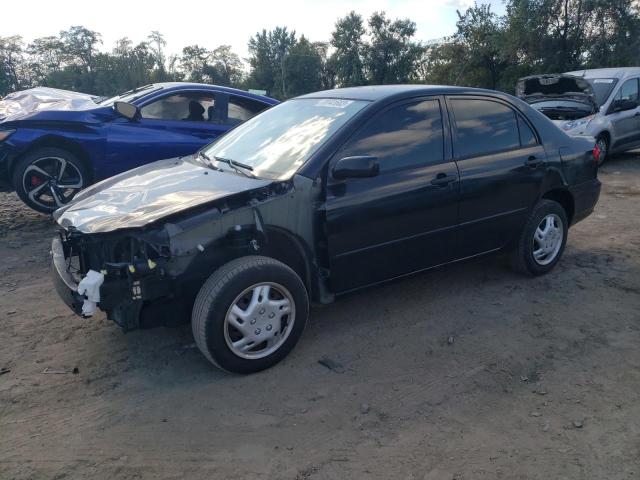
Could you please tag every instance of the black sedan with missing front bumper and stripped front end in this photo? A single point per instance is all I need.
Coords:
(318, 196)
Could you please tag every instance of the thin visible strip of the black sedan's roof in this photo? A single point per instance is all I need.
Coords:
(378, 92)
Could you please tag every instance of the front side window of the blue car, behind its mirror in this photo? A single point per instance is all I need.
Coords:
(191, 106)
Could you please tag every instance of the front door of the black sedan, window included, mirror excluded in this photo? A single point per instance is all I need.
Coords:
(402, 220)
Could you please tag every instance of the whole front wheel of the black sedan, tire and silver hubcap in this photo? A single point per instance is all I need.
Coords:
(232, 288)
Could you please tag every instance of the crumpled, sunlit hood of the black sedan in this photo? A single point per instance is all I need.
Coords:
(148, 193)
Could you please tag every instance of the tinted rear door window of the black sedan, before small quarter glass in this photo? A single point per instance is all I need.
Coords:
(483, 126)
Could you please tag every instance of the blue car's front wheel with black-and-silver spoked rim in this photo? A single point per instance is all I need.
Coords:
(48, 178)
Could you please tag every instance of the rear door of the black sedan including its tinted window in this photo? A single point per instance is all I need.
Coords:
(502, 166)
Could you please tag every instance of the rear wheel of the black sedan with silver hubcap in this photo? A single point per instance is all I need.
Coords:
(550, 248)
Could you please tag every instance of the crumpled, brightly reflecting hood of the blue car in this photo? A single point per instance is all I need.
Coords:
(18, 105)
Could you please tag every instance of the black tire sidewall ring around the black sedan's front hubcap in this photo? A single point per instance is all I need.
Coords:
(215, 322)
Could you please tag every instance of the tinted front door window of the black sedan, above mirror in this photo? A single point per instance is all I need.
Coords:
(408, 135)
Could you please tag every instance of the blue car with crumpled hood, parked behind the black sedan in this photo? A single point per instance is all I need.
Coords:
(54, 143)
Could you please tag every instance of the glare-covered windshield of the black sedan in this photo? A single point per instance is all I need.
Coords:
(277, 142)
